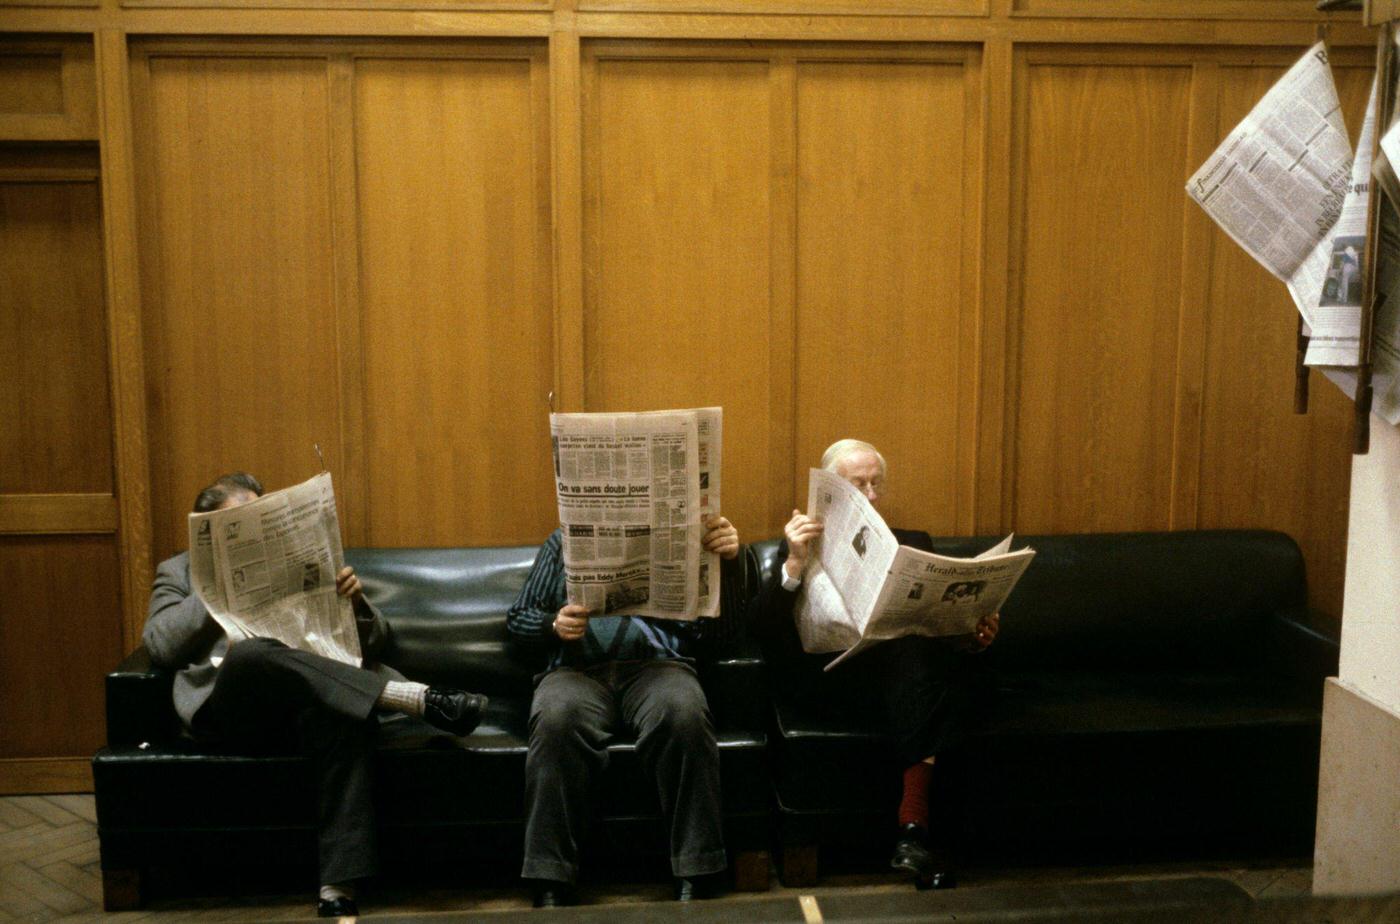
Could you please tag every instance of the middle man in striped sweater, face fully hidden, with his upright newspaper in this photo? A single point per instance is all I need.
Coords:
(615, 605)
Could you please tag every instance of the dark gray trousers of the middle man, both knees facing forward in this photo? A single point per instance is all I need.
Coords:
(573, 717)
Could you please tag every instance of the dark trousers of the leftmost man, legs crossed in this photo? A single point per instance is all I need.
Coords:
(274, 699)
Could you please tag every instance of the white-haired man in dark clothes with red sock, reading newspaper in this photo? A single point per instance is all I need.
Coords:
(916, 687)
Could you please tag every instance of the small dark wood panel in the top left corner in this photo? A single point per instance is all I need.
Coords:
(48, 90)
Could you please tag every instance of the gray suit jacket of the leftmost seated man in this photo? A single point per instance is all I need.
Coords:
(184, 638)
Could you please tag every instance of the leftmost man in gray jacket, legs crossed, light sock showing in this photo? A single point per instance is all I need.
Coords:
(257, 695)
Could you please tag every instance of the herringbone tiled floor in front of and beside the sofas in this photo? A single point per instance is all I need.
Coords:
(50, 871)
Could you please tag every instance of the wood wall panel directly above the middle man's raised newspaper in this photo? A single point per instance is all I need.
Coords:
(678, 213)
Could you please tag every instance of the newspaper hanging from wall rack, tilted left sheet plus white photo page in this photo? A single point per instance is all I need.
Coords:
(1283, 187)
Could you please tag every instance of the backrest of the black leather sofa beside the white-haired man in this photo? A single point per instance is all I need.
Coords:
(1163, 600)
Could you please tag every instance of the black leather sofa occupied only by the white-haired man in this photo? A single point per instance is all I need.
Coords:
(1147, 691)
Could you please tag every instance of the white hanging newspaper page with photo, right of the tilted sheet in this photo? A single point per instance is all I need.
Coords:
(1333, 272)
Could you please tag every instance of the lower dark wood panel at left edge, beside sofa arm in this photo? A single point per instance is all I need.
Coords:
(62, 596)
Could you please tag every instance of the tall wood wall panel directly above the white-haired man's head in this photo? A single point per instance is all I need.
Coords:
(885, 295)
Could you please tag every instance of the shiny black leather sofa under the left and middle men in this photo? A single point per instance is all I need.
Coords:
(170, 808)
